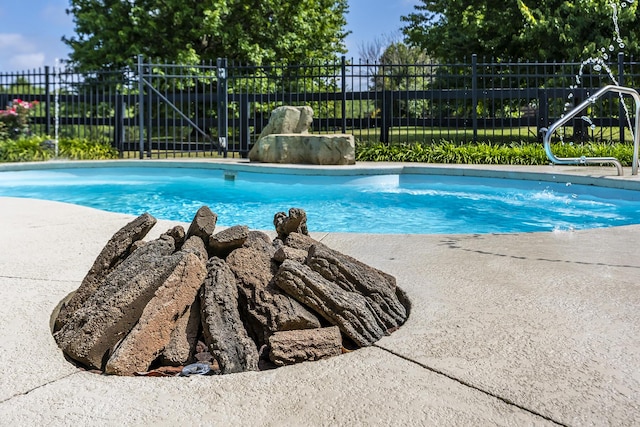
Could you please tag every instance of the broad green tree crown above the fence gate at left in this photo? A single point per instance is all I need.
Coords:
(110, 33)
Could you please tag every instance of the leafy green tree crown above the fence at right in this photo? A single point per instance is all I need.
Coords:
(543, 30)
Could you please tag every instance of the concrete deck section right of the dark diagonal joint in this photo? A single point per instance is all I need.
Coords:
(548, 321)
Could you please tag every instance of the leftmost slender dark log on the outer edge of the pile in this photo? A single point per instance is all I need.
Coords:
(116, 250)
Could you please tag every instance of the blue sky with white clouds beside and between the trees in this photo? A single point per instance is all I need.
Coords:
(31, 30)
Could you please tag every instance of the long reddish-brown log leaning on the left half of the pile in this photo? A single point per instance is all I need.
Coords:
(153, 330)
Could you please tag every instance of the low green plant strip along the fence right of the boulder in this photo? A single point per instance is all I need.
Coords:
(486, 153)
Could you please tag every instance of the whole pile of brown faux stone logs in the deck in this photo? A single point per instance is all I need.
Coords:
(234, 299)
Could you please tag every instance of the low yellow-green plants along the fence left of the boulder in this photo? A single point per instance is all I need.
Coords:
(35, 148)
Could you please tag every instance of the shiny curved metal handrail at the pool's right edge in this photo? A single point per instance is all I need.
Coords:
(577, 110)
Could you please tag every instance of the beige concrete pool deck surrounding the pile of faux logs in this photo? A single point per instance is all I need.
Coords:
(505, 329)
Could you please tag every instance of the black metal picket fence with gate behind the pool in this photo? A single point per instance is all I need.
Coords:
(167, 110)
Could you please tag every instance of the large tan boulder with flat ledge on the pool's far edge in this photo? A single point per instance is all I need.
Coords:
(286, 140)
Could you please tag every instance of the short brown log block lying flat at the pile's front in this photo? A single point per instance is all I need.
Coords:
(289, 347)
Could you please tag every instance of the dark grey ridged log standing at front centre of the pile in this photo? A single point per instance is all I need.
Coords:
(223, 328)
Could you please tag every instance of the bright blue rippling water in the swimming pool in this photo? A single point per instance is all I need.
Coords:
(398, 204)
